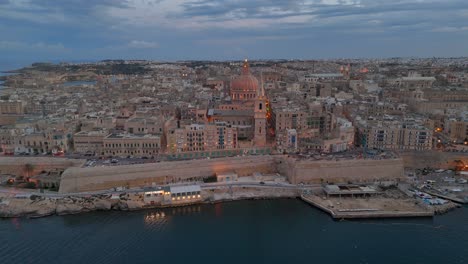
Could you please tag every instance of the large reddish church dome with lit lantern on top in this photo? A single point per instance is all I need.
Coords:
(245, 86)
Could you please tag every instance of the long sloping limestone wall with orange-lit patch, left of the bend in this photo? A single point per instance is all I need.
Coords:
(102, 178)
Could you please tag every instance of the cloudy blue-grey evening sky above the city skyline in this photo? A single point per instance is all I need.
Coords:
(33, 30)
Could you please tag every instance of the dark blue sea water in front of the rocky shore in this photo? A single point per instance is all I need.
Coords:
(254, 231)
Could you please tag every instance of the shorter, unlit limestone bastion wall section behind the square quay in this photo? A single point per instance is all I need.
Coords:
(358, 170)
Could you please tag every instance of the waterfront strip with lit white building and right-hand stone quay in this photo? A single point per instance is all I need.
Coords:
(339, 201)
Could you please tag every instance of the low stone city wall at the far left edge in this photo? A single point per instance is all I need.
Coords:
(17, 165)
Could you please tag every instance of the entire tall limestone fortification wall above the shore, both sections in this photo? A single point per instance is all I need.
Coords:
(297, 171)
